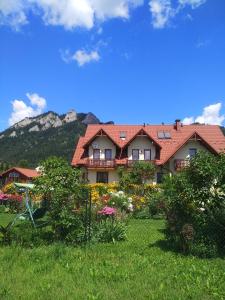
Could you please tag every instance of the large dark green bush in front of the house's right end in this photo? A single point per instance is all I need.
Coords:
(195, 205)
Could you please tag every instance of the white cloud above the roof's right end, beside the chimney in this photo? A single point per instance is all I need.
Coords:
(211, 115)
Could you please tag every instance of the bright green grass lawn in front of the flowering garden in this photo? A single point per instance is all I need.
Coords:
(135, 269)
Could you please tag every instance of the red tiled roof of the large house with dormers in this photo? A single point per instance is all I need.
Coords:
(211, 135)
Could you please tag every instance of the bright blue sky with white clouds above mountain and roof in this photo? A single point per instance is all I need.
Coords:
(131, 61)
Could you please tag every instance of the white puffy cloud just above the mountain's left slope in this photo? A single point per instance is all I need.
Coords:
(21, 110)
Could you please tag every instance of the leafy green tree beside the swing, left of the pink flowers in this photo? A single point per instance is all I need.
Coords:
(61, 185)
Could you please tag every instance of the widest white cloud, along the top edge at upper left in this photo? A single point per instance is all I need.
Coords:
(67, 13)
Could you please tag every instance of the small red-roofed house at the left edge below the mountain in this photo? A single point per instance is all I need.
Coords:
(18, 175)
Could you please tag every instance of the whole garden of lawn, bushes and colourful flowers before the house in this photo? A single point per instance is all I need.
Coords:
(130, 240)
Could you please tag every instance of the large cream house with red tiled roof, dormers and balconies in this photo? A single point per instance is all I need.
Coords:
(106, 147)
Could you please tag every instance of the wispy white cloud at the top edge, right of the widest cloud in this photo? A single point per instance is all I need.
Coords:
(162, 10)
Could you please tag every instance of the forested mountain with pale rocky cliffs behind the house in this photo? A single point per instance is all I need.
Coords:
(34, 139)
